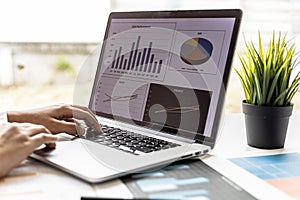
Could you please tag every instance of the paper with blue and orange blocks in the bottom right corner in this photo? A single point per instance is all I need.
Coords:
(280, 170)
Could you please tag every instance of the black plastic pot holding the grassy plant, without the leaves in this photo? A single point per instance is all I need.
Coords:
(266, 126)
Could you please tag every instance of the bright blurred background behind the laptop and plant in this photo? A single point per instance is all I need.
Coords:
(44, 44)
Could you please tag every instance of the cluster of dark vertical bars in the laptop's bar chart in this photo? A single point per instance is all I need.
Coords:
(140, 60)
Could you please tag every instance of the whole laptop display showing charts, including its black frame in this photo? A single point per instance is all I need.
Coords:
(166, 70)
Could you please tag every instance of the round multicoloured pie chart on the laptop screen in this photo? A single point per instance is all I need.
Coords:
(196, 51)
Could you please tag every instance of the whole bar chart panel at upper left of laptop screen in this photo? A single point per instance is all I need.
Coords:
(139, 52)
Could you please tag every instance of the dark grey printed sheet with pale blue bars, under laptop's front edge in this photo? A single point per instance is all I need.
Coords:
(191, 179)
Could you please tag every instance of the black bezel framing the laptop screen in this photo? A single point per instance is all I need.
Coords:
(227, 13)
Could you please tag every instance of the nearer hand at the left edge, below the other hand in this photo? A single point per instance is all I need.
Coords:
(18, 140)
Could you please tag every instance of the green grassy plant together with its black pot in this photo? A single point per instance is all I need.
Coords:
(269, 83)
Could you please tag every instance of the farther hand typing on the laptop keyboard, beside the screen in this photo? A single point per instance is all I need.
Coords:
(58, 118)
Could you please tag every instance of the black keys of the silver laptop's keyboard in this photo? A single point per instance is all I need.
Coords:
(127, 141)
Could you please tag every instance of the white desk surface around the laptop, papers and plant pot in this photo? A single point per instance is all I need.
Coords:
(33, 180)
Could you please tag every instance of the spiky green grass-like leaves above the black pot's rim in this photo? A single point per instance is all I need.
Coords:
(266, 73)
